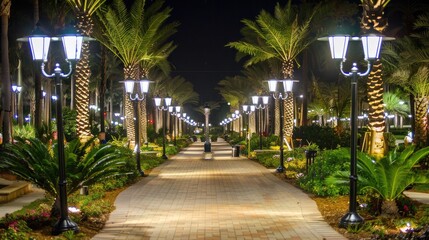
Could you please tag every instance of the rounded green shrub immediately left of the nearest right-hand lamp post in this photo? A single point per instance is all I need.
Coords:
(326, 163)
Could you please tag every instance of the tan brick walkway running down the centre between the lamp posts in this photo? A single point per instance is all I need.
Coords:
(222, 198)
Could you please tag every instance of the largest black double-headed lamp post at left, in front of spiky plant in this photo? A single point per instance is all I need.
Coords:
(72, 43)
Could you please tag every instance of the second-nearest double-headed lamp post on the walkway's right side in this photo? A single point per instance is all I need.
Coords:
(287, 88)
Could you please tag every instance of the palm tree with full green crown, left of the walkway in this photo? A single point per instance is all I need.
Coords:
(137, 35)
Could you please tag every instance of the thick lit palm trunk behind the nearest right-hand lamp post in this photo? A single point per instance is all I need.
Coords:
(373, 18)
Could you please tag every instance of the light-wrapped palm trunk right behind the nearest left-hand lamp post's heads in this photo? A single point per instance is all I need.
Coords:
(84, 11)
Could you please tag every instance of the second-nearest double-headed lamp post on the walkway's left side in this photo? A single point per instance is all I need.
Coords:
(136, 95)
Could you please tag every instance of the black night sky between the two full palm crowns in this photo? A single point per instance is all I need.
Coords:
(206, 26)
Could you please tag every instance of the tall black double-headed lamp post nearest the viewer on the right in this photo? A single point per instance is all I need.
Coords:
(371, 46)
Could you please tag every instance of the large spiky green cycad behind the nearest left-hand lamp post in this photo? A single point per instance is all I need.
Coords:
(86, 164)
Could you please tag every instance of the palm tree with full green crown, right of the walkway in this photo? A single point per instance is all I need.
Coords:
(279, 36)
